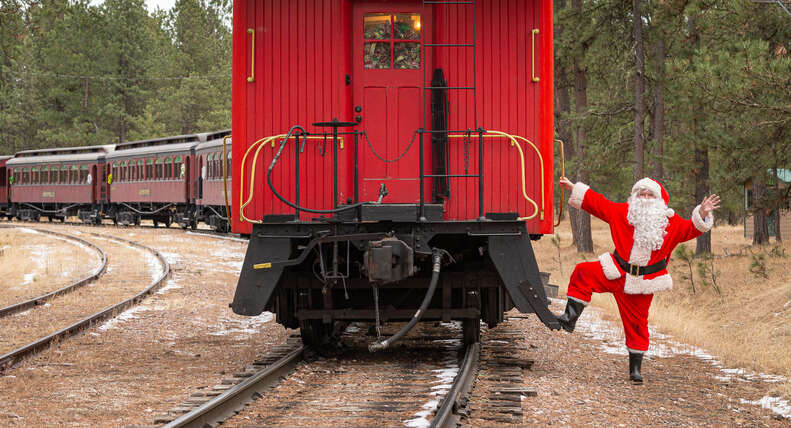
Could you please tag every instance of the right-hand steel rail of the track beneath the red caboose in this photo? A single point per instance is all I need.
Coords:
(456, 398)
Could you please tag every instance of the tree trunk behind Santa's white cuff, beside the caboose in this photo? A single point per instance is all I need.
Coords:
(580, 220)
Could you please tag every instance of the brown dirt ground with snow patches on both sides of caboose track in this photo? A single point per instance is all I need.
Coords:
(185, 338)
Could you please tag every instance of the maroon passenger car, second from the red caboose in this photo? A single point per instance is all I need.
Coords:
(151, 180)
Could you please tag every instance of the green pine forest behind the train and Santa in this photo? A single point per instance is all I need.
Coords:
(695, 93)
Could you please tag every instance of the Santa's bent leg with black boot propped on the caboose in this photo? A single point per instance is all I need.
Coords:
(587, 278)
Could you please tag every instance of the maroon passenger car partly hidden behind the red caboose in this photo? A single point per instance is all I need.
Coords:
(212, 189)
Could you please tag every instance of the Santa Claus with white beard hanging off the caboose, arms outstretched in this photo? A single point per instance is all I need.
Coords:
(645, 232)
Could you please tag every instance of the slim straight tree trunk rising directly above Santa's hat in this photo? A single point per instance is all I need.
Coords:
(639, 90)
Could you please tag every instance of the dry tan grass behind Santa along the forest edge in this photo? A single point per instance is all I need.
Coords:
(748, 326)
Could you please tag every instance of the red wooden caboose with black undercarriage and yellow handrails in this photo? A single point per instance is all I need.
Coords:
(443, 151)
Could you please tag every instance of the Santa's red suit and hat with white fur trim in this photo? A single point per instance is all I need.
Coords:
(633, 293)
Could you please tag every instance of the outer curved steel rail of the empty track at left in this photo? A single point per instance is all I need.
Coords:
(16, 355)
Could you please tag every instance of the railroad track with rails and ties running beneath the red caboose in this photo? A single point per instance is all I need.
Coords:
(405, 385)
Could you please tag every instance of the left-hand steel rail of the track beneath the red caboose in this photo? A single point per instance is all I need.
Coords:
(231, 401)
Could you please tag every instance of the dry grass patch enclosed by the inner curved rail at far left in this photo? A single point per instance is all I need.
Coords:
(32, 264)
